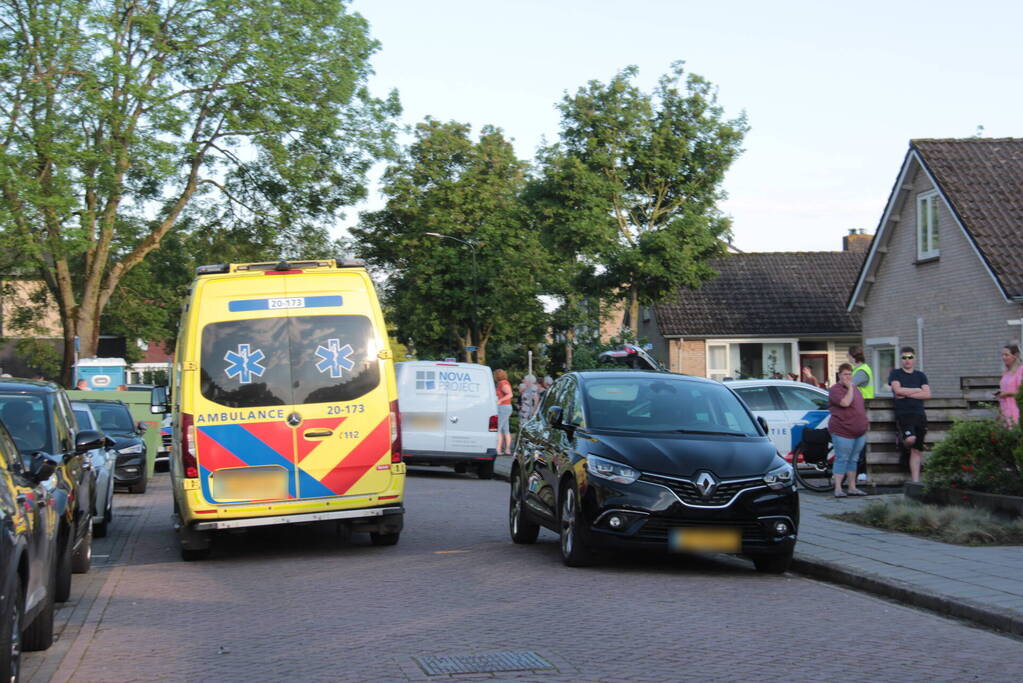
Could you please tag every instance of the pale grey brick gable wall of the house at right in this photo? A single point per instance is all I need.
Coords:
(963, 311)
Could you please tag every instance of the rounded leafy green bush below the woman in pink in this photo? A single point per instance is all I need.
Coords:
(982, 456)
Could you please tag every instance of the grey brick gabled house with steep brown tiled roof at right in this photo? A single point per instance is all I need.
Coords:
(945, 274)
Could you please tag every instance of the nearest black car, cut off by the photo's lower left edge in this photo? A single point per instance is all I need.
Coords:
(28, 556)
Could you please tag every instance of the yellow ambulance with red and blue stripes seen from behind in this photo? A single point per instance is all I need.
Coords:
(285, 404)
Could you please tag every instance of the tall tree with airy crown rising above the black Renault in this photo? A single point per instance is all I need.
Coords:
(644, 172)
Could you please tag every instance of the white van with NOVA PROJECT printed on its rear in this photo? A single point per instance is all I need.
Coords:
(449, 416)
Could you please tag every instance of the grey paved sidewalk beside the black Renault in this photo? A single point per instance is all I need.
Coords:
(980, 584)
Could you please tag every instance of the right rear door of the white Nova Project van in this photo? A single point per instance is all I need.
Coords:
(471, 402)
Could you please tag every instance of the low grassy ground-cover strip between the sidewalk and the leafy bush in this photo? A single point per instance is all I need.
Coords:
(961, 526)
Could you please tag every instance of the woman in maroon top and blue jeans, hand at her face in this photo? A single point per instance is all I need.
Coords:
(849, 430)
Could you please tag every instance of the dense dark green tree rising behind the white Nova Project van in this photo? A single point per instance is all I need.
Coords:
(446, 184)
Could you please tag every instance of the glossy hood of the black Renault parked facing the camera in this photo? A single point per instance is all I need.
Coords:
(685, 456)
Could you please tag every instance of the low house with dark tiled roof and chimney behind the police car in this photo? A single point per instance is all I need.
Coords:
(765, 314)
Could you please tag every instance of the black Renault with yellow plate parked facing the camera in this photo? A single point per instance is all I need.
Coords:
(641, 460)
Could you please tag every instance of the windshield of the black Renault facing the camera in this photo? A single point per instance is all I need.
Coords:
(665, 404)
